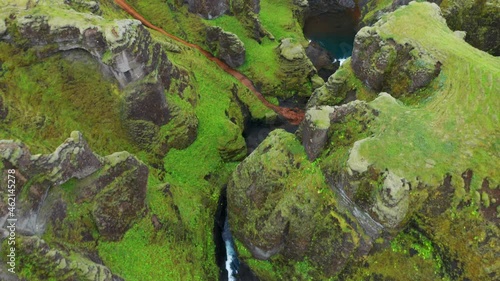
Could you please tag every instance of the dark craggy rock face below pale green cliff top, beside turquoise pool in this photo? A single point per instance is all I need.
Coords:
(384, 65)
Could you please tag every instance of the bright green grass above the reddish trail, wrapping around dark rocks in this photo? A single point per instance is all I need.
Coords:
(261, 64)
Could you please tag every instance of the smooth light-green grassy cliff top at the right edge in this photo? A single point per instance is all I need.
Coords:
(455, 129)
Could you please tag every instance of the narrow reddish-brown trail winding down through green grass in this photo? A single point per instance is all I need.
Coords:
(293, 115)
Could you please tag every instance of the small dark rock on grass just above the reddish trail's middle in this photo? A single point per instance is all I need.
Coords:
(227, 46)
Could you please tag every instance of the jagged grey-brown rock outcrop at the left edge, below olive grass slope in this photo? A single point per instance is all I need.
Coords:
(118, 193)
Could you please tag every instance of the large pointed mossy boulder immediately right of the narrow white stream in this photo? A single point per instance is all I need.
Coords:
(280, 206)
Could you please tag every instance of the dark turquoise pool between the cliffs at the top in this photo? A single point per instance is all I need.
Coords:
(333, 31)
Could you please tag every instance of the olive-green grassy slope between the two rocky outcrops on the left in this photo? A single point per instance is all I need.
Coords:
(45, 109)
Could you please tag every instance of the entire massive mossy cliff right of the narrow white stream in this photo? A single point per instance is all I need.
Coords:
(390, 166)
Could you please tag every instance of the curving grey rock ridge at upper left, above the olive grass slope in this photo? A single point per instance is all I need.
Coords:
(124, 48)
